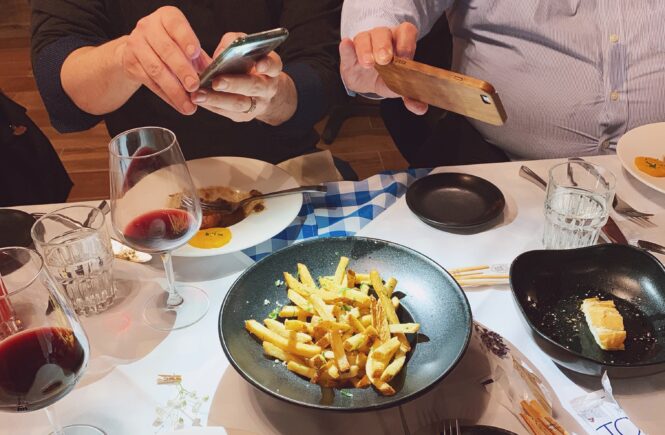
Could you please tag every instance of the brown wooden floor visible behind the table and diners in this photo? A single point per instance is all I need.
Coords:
(362, 141)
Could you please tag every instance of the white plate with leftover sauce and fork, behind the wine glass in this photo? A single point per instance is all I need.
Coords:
(246, 174)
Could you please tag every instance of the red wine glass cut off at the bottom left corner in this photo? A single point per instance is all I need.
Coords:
(43, 349)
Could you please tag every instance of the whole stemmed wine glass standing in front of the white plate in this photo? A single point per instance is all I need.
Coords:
(155, 208)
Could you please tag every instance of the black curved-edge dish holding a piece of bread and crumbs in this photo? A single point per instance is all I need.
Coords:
(549, 287)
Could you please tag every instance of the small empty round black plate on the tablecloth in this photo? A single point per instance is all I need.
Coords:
(452, 201)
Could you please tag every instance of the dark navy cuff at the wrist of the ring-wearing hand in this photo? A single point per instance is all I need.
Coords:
(312, 99)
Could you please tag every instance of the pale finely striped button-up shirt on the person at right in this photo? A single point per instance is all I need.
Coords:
(573, 75)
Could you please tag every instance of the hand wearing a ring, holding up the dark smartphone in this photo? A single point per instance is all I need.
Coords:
(264, 93)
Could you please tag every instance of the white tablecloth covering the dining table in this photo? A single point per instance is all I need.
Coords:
(119, 391)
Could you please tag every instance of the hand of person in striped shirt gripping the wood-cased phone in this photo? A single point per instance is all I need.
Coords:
(379, 45)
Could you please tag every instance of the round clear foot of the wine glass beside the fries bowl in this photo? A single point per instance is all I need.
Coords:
(194, 306)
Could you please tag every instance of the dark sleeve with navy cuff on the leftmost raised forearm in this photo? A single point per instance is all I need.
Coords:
(58, 28)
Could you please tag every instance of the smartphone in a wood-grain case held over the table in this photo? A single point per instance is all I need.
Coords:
(448, 90)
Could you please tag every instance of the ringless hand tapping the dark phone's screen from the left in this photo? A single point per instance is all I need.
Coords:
(162, 53)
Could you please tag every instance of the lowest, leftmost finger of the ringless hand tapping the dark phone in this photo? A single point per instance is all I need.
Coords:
(157, 71)
